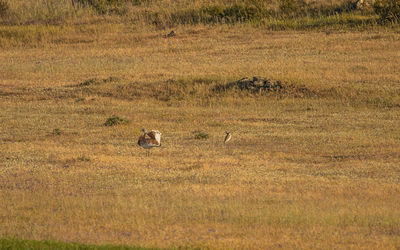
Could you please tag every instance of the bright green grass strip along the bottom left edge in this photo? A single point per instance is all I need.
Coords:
(34, 244)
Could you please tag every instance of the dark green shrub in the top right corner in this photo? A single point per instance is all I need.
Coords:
(388, 10)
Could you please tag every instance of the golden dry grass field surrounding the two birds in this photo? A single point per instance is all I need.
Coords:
(316, 165)
